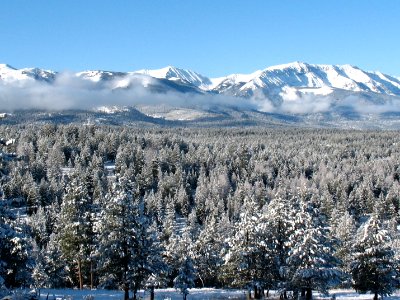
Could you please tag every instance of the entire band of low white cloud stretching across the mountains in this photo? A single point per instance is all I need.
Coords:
(71, 92)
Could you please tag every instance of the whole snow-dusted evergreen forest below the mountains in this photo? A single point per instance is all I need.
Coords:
(258, 209)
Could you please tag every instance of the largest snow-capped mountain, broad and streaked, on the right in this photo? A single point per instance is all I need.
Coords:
(316, 79)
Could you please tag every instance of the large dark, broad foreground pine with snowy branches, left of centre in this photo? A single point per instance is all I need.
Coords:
(129, 247)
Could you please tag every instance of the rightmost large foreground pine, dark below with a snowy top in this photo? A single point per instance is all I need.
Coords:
(374, 267)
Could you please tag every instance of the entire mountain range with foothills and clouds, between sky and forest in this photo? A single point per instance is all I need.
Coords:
(295, 93)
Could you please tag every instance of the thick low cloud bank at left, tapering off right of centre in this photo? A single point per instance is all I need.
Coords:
(71, 92)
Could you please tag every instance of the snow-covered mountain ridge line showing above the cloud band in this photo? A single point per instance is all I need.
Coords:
(358, 79)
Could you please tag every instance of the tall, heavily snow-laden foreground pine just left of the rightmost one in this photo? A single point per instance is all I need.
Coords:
(311, 263)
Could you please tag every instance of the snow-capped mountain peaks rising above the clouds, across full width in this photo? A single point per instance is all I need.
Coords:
(270, 82)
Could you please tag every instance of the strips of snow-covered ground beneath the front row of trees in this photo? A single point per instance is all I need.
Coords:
(195, 294)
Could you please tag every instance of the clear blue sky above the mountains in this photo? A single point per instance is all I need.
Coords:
(213, 37)
